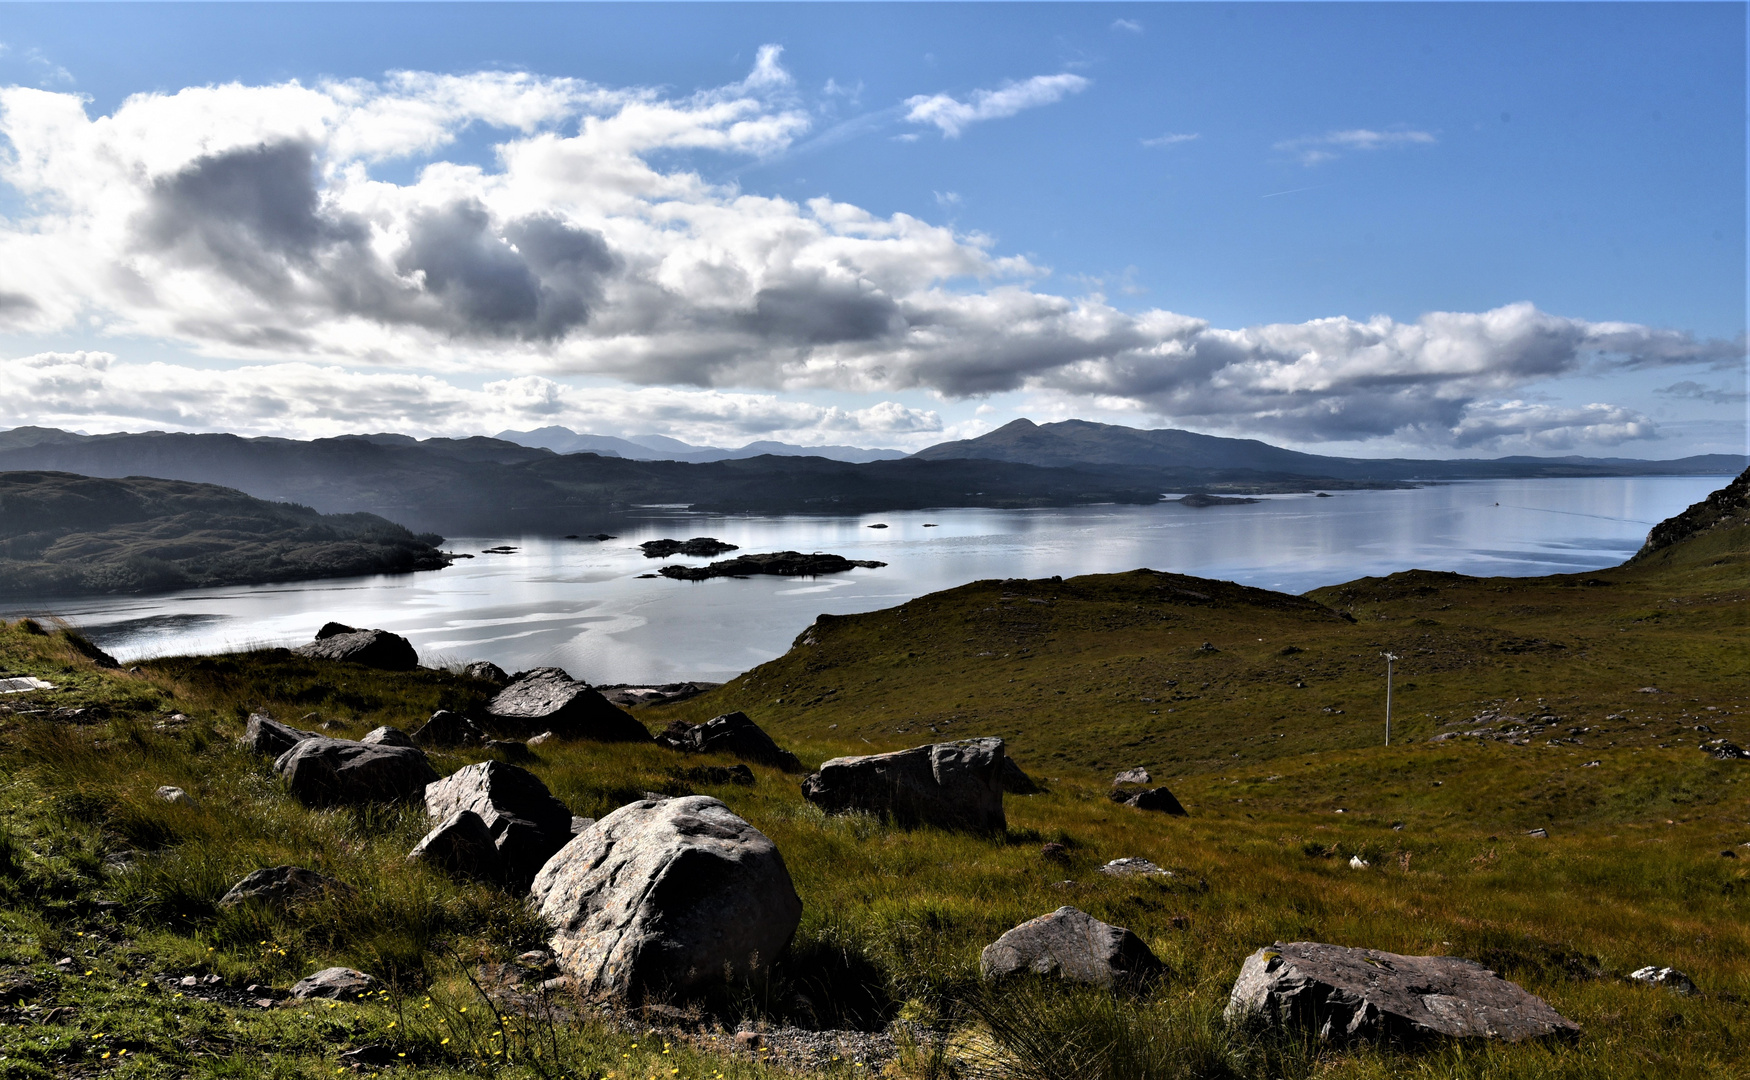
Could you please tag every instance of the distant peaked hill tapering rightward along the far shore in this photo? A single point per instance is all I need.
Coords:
(1081, 444)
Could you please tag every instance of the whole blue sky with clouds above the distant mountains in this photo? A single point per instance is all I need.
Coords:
(1376, 230)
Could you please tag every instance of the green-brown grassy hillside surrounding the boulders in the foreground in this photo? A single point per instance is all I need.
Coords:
(1282, 796)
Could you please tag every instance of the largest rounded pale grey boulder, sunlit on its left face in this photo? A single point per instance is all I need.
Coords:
(664, 897)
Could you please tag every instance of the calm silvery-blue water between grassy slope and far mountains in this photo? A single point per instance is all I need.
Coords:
(580, 605)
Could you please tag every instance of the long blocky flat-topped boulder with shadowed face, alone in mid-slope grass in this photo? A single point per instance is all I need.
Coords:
(949, 785)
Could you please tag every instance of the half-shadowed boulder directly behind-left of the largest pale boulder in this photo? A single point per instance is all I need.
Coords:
(526, 824)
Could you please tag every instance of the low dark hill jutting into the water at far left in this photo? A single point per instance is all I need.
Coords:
(64, 535)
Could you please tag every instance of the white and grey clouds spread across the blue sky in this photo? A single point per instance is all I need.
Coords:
(256, 225)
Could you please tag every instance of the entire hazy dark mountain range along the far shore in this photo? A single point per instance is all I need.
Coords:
(496, 487)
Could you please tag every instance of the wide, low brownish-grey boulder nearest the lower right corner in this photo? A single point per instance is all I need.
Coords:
(1341, 993)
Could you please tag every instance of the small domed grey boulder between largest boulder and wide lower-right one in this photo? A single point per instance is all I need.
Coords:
(1072, 946)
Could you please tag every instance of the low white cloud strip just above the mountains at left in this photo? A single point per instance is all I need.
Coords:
(97, 391)
